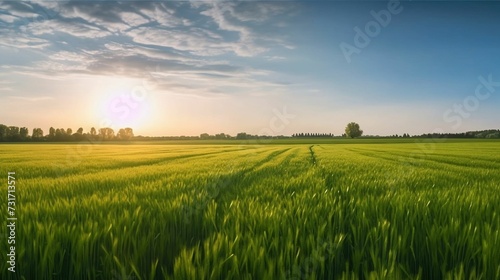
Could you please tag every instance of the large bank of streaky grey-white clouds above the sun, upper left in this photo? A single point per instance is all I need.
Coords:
(130, 39)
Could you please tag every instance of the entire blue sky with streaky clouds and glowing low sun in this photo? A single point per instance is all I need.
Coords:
(266, 67)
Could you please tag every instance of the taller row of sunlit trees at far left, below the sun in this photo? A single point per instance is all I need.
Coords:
(21, 134)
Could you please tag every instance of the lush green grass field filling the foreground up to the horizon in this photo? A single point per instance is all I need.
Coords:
(297, 210)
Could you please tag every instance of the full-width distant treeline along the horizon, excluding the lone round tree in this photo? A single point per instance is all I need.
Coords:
(21, 134)
